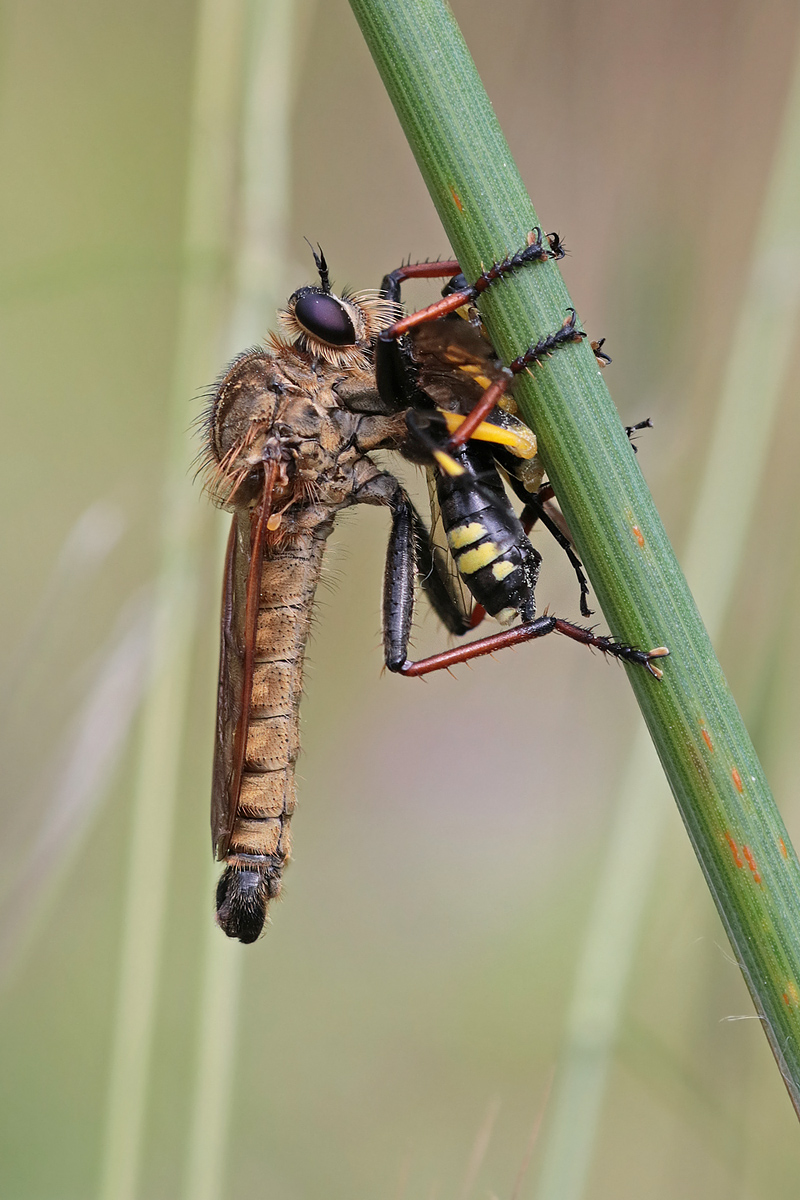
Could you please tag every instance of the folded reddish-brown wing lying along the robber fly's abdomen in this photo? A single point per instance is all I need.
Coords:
(240, 604)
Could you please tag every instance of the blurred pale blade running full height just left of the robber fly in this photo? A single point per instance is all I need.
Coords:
(202, 322)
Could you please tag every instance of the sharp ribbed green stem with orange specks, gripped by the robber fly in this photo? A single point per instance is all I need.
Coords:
(706, 752)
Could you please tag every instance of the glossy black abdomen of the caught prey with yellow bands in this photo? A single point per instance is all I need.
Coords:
(490, 547)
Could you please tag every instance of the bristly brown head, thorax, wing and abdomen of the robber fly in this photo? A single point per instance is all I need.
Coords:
(286, 457)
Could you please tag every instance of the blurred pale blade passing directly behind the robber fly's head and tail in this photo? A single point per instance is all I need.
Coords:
(262, 205)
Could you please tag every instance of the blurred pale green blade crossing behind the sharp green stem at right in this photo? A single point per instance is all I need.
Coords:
(726, 508)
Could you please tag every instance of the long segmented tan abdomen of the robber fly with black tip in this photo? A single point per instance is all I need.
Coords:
(261, 842)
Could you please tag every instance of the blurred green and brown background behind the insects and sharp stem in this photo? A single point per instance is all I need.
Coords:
(396, 1033)
